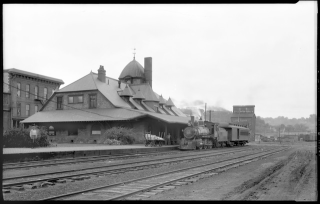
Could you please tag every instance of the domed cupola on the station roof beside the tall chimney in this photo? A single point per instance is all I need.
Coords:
(133, 73)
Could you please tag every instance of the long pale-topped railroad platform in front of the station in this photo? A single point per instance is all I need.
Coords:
(76, 150)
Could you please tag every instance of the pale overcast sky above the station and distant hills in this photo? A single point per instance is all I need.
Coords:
(222, 55)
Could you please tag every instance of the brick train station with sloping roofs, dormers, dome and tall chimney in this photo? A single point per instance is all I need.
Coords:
(82, 111)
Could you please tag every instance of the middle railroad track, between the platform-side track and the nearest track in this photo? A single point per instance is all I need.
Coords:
(115, 169)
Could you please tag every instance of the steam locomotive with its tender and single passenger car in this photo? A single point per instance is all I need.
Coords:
(206, 135)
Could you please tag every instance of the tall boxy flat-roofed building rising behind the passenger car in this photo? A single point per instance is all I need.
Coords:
(244, 115)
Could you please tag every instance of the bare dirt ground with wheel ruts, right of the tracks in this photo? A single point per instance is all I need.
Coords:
(289, 175)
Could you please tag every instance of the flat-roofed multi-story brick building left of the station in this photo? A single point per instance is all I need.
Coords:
(24, 94)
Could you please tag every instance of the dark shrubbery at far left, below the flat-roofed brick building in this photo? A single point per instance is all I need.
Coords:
(19, 137)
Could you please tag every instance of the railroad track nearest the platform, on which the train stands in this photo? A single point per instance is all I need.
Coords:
(43, 163)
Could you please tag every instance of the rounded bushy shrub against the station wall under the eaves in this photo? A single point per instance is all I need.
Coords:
(124, 135)
